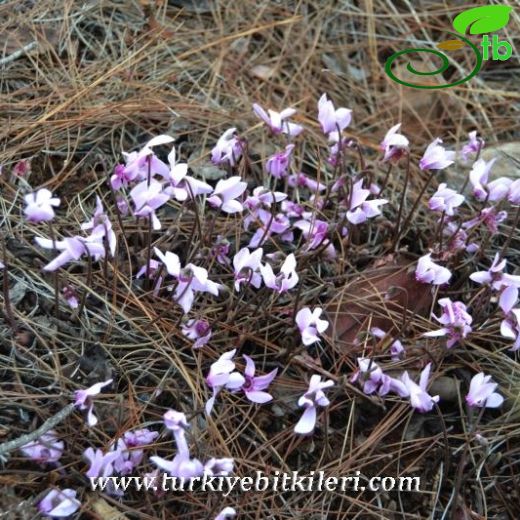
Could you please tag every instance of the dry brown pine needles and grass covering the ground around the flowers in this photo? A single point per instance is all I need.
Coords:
(102, 77)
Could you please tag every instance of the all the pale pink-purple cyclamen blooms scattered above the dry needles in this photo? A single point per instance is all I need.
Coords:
(145, 183)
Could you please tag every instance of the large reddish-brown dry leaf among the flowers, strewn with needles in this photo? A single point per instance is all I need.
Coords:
(376, 298)
